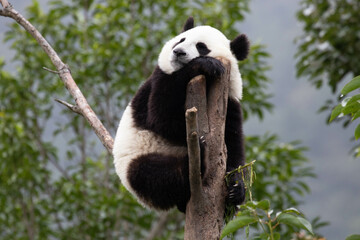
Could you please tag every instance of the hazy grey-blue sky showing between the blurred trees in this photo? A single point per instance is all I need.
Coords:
(336, 191)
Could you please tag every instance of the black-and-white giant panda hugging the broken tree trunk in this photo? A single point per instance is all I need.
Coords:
(150, 153)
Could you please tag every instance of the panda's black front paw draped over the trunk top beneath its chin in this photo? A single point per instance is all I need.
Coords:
(210, 67)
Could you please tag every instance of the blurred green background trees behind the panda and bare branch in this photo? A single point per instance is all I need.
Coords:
(57, 182)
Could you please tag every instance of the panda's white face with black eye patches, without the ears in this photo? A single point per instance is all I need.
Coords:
(198, 41)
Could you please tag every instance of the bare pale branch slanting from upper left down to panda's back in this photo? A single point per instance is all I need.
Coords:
(64, 74)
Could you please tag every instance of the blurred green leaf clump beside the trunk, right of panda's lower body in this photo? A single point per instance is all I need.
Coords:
(280, 170)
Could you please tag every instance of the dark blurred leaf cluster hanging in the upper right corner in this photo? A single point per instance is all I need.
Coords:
(328, 51)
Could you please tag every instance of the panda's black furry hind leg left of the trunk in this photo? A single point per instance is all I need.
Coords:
(162, 181)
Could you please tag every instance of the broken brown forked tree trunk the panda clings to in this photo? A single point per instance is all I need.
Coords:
(205, 210)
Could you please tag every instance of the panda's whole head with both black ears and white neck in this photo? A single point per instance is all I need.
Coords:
(199, 41)
